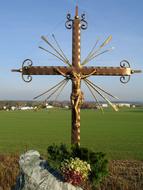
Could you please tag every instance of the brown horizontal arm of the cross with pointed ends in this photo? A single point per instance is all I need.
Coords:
(54, 70)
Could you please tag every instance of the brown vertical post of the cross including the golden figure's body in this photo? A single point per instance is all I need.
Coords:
(76, 95)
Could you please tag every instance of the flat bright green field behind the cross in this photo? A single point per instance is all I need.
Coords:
(118, 134)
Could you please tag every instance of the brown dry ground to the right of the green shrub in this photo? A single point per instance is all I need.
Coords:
(124, 175)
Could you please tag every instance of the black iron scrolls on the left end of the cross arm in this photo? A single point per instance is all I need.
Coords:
(25, 65)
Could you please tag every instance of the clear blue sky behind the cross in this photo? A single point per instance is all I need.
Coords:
(22, 22)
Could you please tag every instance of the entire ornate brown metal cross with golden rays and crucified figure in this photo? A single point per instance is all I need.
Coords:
(76, 72)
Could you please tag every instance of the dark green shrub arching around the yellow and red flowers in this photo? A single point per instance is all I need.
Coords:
(97, 160)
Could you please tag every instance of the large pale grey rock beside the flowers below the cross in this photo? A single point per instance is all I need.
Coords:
(36, 174)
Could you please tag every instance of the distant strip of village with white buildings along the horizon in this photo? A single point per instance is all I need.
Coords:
(44, 105)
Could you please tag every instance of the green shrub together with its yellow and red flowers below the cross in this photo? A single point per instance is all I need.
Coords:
(79, 166)
